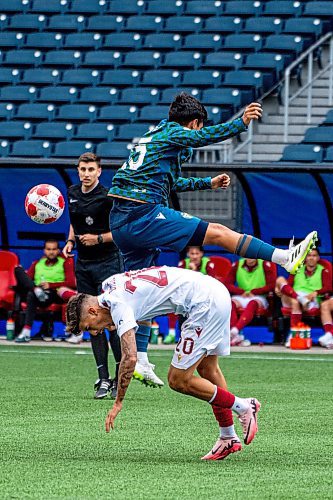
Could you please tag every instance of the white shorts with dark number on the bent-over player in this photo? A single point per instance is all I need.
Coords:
(206, 331)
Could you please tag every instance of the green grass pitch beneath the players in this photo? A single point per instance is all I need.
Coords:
(53, 443)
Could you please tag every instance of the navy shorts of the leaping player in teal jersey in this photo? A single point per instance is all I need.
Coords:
(140, 230)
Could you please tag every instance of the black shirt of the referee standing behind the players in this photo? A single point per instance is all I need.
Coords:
(89, 214)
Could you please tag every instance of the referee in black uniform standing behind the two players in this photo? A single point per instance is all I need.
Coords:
(98, 257)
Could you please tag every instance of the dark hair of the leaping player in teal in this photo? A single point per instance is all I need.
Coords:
(185, 108)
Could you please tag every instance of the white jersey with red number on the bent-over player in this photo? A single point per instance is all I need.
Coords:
(141, 295)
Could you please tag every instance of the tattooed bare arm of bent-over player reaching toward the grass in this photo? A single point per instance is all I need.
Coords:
(126, 370)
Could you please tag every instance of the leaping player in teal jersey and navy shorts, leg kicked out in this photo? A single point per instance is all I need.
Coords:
(141, 221)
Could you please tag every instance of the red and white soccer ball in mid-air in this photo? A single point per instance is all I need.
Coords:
(44, 204)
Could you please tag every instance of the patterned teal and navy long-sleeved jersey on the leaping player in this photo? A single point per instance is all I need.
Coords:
(153, 168)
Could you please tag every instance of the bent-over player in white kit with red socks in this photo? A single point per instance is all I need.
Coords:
(139, 295)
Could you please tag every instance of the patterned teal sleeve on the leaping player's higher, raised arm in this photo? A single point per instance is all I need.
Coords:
(207, 135)
